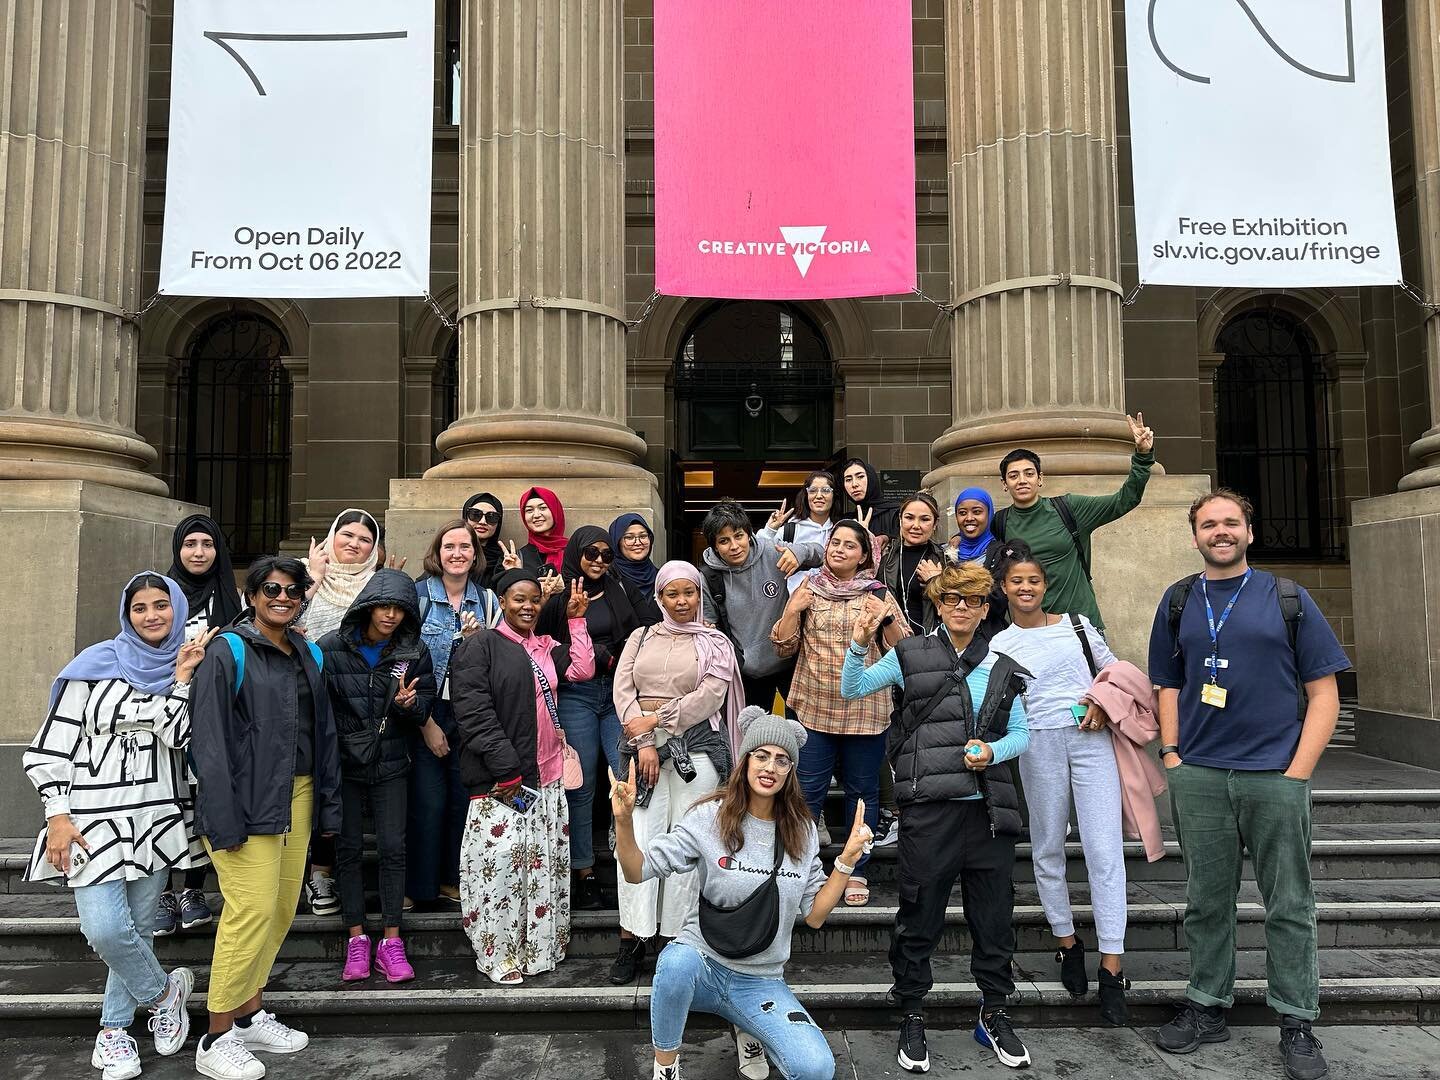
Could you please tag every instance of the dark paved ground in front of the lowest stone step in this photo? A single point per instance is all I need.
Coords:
(1356, 1053)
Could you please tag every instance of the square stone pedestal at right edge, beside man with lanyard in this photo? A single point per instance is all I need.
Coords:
(1396, 588)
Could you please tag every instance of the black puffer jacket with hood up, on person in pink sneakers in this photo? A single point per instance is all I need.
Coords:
(372, 728)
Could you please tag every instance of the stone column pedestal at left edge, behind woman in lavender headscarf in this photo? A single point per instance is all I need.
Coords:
(71, 545)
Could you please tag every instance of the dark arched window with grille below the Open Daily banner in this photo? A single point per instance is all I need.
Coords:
(233, 431)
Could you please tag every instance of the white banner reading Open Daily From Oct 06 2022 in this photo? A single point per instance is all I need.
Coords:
(300, 149)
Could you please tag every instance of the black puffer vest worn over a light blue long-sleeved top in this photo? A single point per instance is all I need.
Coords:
(930, 757)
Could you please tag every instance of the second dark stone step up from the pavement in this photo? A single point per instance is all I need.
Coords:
(1390, 914)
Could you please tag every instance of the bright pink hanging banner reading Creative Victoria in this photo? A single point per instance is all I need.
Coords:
(784, 149)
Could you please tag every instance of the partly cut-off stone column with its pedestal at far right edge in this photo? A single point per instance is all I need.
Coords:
(1396, 539)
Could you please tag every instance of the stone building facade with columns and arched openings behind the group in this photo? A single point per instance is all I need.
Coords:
(282, 414)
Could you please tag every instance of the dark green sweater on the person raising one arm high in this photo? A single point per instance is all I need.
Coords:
(1068, 590)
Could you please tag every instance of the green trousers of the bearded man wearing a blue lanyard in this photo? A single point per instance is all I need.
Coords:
(1222, 814)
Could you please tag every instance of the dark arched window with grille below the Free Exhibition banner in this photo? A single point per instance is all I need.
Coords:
(1274, 434)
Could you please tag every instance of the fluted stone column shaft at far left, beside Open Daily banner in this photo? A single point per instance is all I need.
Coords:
(73, 155)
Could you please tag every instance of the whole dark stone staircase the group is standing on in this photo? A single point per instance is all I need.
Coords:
(1376, 863)
